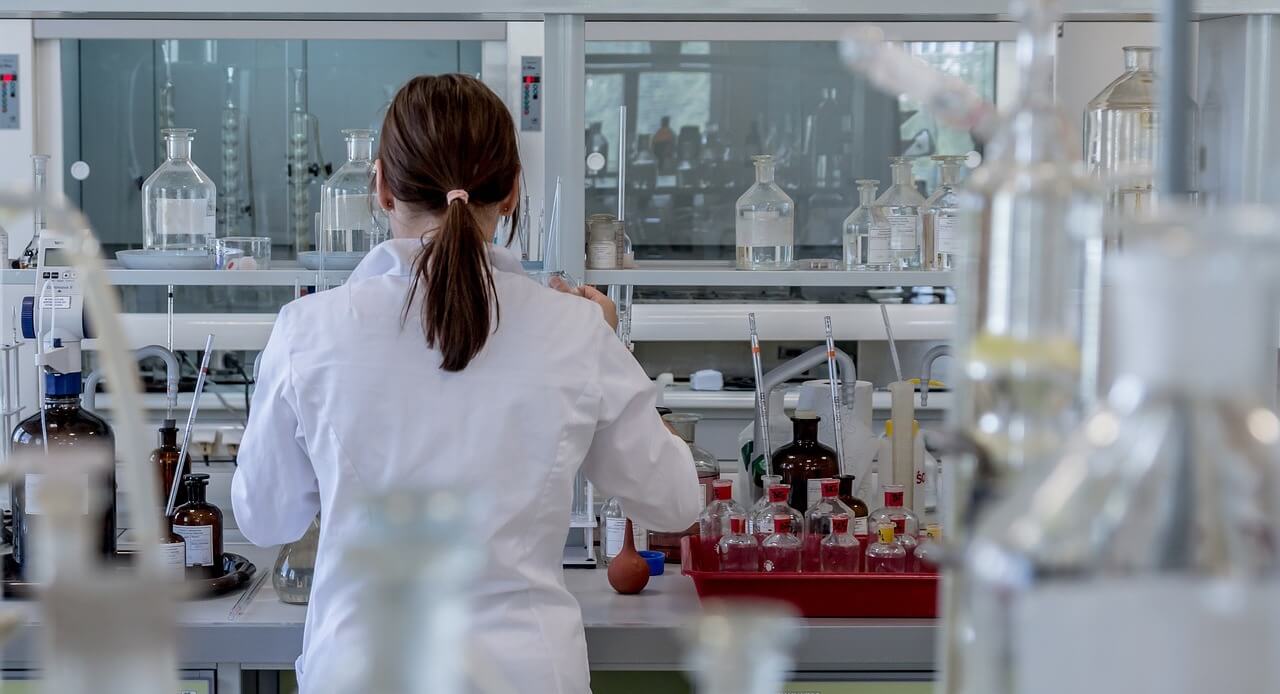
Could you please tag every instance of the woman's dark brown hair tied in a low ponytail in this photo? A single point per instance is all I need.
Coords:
(451, 134)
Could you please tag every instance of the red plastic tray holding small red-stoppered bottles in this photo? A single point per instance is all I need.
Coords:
(821, 595)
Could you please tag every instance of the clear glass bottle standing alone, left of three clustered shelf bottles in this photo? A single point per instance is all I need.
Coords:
(766, 222)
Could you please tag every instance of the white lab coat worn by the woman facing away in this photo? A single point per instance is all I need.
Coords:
(351, 403)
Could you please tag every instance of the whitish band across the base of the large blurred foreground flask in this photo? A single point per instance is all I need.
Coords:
(1173, 636)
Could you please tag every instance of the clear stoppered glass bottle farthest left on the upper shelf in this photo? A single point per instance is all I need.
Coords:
(179, 200)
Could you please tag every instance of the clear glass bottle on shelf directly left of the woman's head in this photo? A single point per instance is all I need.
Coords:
(349, 218)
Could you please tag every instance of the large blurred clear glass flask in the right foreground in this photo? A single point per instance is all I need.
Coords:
(1167, 494)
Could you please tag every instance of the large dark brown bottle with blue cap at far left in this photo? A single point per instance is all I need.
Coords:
(68, 427)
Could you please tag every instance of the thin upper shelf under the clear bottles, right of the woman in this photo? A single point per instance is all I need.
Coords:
(684, 273)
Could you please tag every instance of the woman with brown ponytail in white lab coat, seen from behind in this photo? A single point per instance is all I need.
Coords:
(440, 364)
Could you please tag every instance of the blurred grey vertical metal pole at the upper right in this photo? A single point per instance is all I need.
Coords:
(1176, 67)
